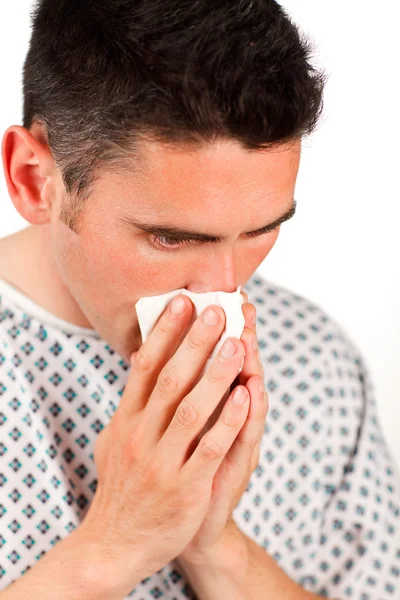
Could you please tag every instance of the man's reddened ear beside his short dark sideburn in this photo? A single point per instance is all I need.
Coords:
(30, 172)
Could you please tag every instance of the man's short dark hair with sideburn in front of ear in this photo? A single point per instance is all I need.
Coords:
(104, 75)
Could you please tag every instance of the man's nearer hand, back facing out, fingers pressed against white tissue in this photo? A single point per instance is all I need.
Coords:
(155, 478)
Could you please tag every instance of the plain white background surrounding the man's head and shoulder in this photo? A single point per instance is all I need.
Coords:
(342, 248)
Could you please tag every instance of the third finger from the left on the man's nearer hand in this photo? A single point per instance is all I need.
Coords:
(196, 408)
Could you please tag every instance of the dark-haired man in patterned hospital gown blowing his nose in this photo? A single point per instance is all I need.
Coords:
(159, 150)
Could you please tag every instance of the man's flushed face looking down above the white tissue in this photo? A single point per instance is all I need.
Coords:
(222, 190)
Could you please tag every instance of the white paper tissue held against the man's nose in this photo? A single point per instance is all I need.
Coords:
(150, 308)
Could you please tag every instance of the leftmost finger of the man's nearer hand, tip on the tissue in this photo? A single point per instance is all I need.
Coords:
(161, 344)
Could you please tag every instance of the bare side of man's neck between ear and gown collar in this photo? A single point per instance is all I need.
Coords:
(26, 262)
